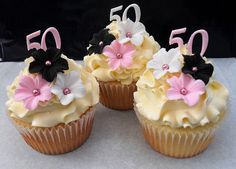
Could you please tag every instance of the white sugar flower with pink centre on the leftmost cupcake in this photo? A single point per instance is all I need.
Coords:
(68, 87)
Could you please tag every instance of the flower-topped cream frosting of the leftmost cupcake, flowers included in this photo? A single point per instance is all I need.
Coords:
(46, 95)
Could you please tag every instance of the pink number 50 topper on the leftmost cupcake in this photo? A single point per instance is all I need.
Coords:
(36, 45)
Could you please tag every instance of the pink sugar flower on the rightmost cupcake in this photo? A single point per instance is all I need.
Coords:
(185, 87)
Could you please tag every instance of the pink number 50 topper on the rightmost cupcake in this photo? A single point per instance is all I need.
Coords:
(180, 42)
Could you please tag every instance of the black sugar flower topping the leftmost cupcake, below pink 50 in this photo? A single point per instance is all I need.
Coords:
(48, 63)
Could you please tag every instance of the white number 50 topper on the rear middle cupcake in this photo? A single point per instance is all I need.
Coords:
(124, 16)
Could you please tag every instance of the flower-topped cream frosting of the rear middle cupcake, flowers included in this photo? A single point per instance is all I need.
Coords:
(120, 52)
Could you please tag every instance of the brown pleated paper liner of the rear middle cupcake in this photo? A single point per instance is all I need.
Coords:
(117, 96)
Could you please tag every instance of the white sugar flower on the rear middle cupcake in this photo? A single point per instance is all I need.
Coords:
(131, 31)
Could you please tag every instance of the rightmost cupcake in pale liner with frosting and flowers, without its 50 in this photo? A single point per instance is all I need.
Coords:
(178, 103)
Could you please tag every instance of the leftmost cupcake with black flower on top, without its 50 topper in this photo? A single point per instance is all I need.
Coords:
(51, 102)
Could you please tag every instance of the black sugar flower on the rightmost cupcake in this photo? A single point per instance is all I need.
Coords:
(196, 66)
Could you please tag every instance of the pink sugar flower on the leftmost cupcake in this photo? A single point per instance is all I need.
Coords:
(31, 90)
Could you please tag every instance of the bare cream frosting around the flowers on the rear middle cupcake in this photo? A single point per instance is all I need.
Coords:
(97, 64)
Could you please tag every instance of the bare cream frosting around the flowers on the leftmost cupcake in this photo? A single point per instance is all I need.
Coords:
(52, 113)
